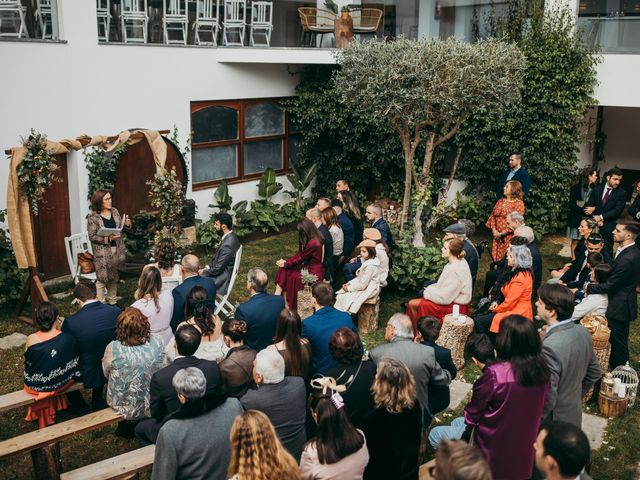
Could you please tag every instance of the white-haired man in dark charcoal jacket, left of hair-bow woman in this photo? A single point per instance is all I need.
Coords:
(282, 399)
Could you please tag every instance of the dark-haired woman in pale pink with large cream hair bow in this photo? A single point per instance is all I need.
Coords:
(339, 450)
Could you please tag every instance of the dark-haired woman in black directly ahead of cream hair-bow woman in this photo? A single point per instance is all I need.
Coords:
(353, 372)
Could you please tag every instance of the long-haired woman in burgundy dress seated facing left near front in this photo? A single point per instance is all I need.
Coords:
(309, 256)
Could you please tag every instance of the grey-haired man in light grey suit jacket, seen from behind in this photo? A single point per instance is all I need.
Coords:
(420, 359)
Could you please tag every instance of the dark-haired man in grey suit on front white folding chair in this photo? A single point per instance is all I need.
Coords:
(221, 267)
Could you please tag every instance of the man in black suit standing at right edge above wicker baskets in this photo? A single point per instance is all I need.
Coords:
(621, 289)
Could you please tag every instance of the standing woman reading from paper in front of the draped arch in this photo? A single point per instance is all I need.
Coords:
(108, 251)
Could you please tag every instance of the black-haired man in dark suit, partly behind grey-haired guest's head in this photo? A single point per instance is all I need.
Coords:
(164, 400)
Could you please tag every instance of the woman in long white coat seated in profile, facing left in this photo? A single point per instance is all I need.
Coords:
(365, 285)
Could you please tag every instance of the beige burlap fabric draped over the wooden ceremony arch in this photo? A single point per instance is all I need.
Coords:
(18, 214)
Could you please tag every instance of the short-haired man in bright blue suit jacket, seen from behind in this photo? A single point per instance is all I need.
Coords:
(319, 327)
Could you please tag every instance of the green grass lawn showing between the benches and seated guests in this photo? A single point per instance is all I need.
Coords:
(618, 459)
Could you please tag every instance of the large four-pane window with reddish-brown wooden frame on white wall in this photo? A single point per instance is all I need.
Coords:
(238, 140)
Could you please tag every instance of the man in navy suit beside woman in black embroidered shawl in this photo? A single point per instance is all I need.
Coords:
(94, 327)
